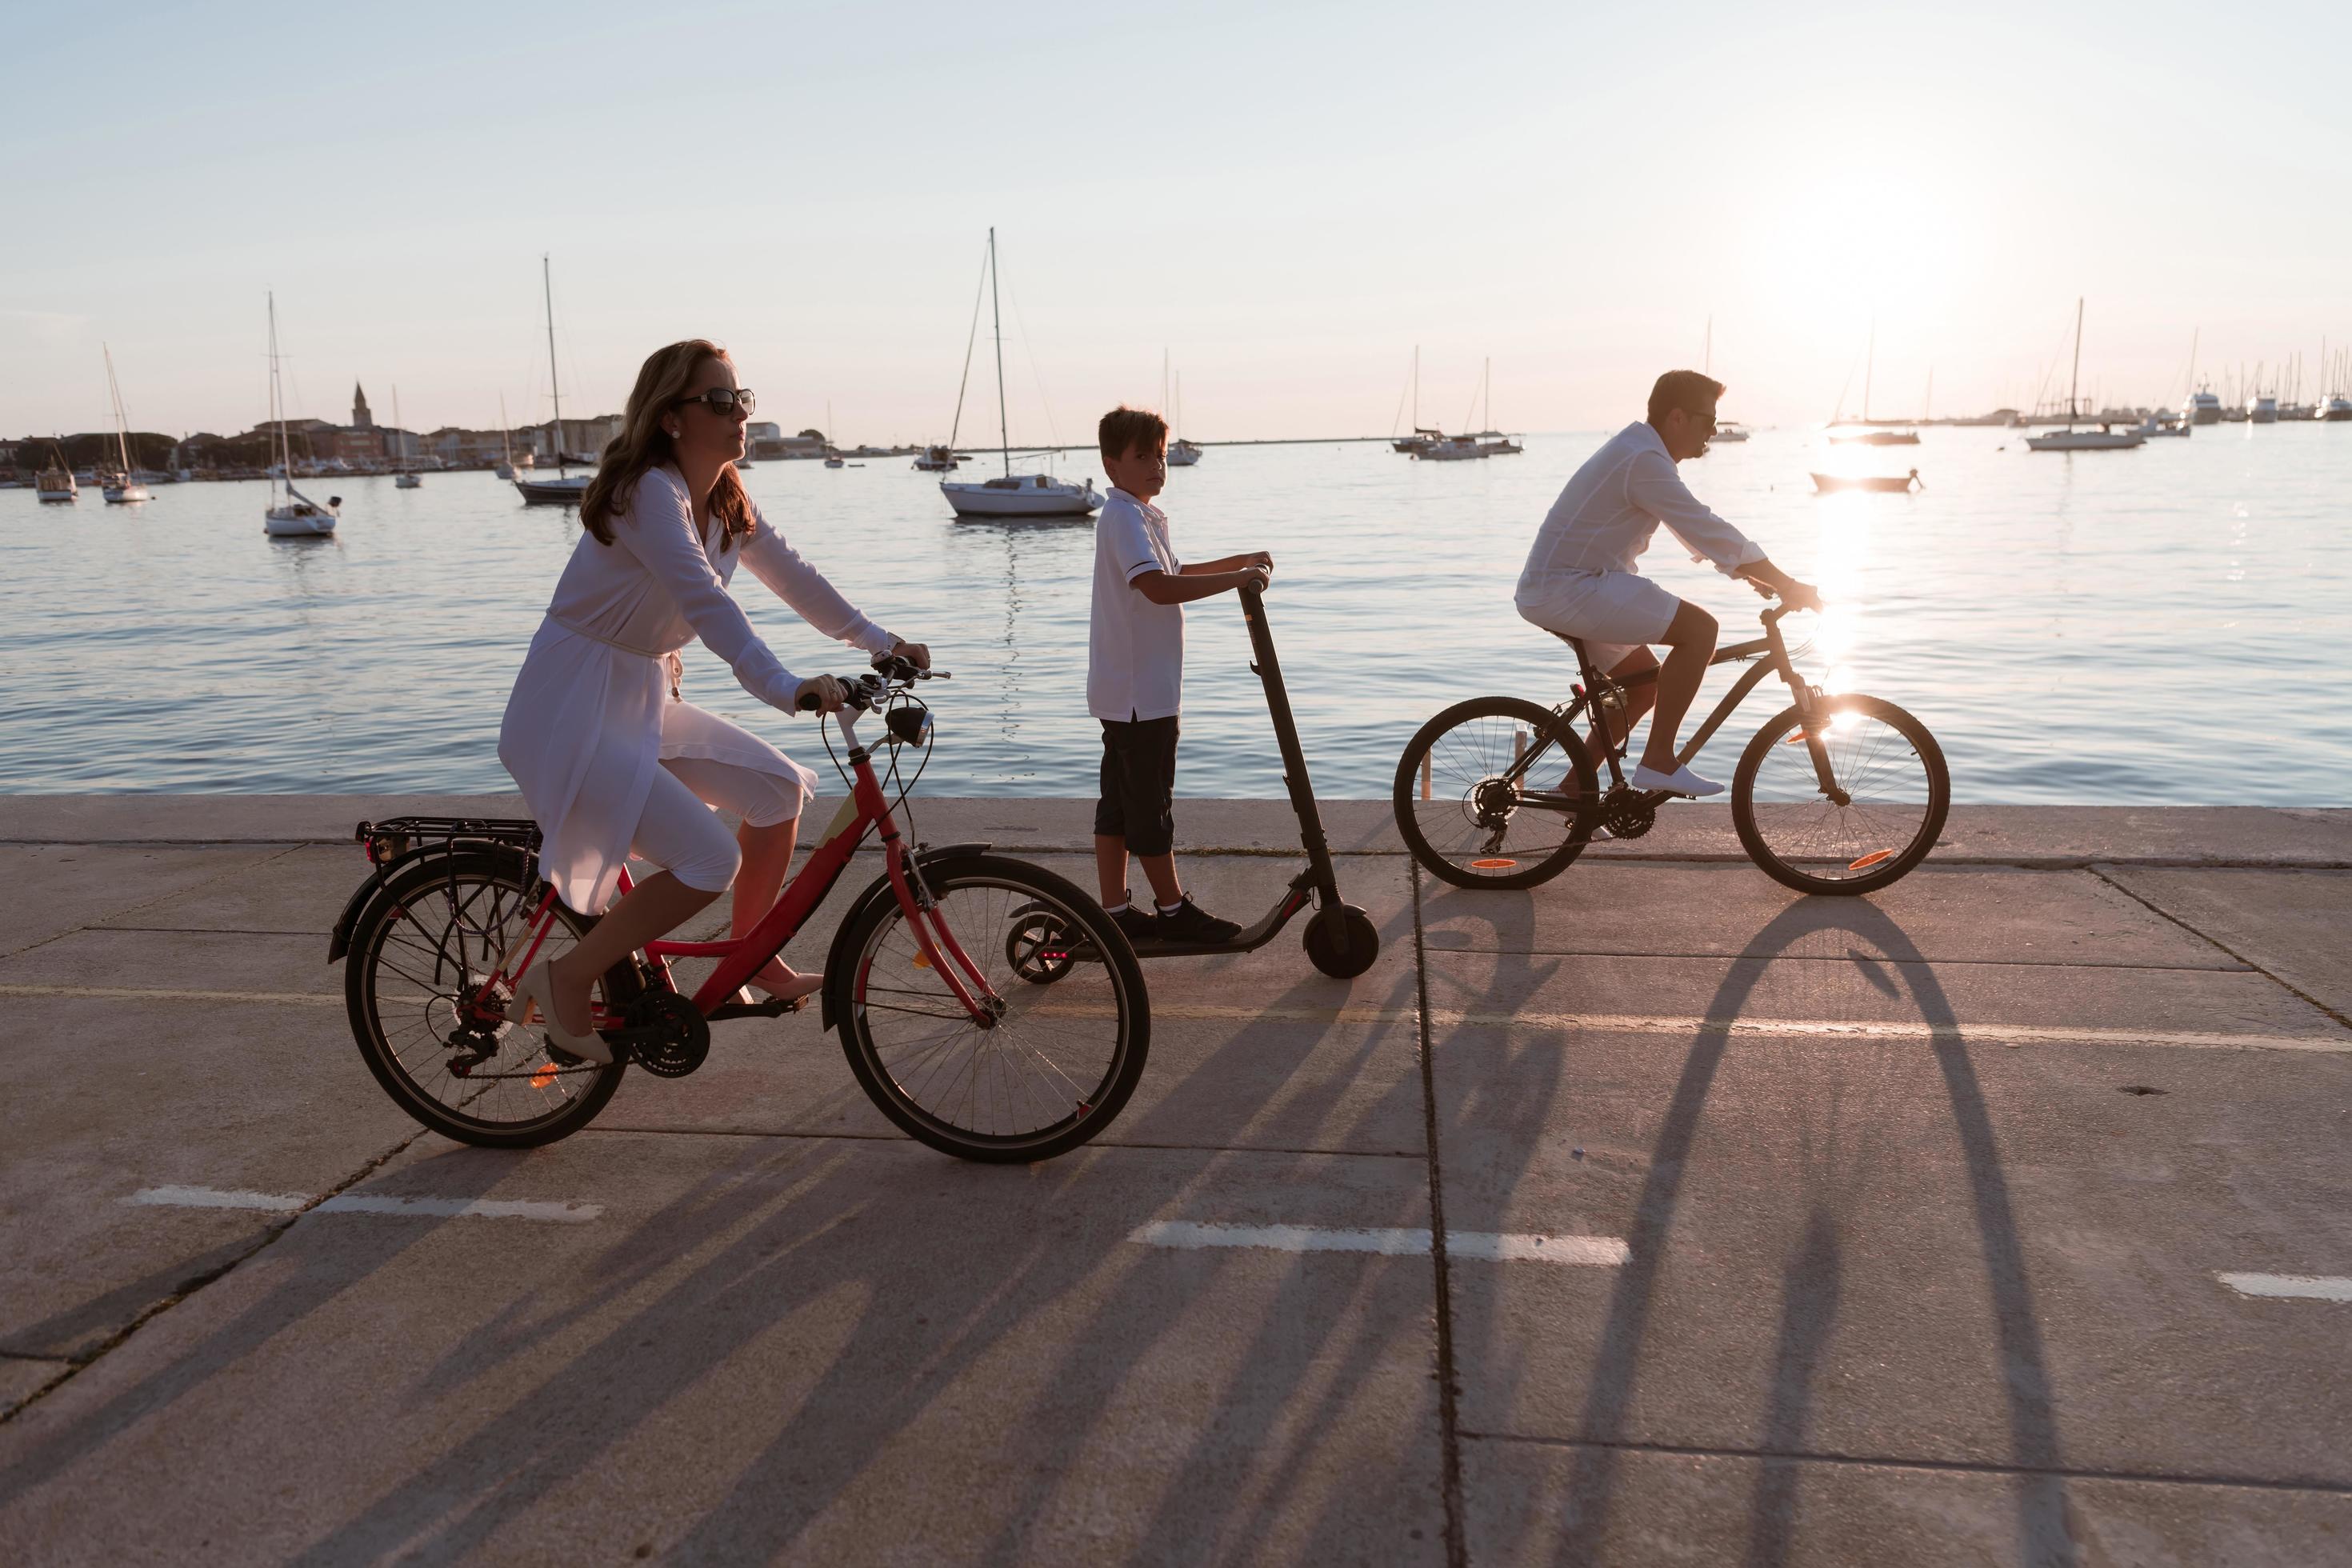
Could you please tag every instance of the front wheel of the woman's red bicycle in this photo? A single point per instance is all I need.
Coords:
(1045, 1068)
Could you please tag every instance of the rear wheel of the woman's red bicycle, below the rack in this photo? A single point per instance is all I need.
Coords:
(420, 956)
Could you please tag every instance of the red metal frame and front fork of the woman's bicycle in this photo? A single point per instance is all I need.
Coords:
(742, 958)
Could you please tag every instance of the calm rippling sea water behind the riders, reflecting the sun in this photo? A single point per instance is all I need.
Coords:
(2170, 624)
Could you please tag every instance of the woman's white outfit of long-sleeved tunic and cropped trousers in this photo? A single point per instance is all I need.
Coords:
(592, 713)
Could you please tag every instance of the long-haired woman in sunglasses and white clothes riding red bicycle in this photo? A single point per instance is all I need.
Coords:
(608, 753)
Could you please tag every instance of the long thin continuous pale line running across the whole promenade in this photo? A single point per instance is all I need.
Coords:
(1561, 1024)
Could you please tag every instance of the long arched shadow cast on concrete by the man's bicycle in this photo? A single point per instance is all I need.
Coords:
(1815, 1273)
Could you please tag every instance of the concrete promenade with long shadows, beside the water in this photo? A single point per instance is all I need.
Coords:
(1655, 1217)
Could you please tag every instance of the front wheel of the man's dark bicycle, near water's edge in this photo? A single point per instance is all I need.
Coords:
(1892, 793)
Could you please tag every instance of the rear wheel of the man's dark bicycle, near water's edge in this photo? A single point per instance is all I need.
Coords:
(1483, 826)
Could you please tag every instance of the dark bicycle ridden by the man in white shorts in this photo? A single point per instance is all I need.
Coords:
(1836, 796)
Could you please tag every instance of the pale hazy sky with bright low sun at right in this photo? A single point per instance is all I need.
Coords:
(1281, 201)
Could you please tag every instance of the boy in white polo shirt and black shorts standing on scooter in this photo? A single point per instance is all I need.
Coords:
(1135, 678)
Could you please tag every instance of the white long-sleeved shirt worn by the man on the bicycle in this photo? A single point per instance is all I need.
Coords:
(1615, 504)
